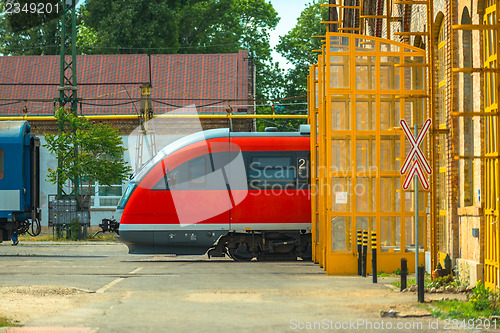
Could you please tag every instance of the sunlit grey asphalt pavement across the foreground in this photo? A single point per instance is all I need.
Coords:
(99, 287)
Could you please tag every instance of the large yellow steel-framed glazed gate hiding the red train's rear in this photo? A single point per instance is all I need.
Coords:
(365, 85)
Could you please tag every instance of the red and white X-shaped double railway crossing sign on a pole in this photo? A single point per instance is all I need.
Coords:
(420, 161)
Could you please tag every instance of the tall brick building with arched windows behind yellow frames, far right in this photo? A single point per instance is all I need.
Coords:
(460, 172)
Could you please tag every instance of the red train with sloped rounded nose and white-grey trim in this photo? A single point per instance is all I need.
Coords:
(246, 195)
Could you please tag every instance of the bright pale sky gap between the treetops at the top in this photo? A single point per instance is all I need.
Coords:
(288, 11)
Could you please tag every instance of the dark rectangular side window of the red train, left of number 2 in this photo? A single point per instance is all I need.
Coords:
(274, 172)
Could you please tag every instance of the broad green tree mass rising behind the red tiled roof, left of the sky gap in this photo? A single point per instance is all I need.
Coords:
(183, 26)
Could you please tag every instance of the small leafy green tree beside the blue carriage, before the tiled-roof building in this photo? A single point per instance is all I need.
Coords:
(99, 158)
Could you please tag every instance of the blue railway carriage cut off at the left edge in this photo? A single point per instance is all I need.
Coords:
(19, 179)
